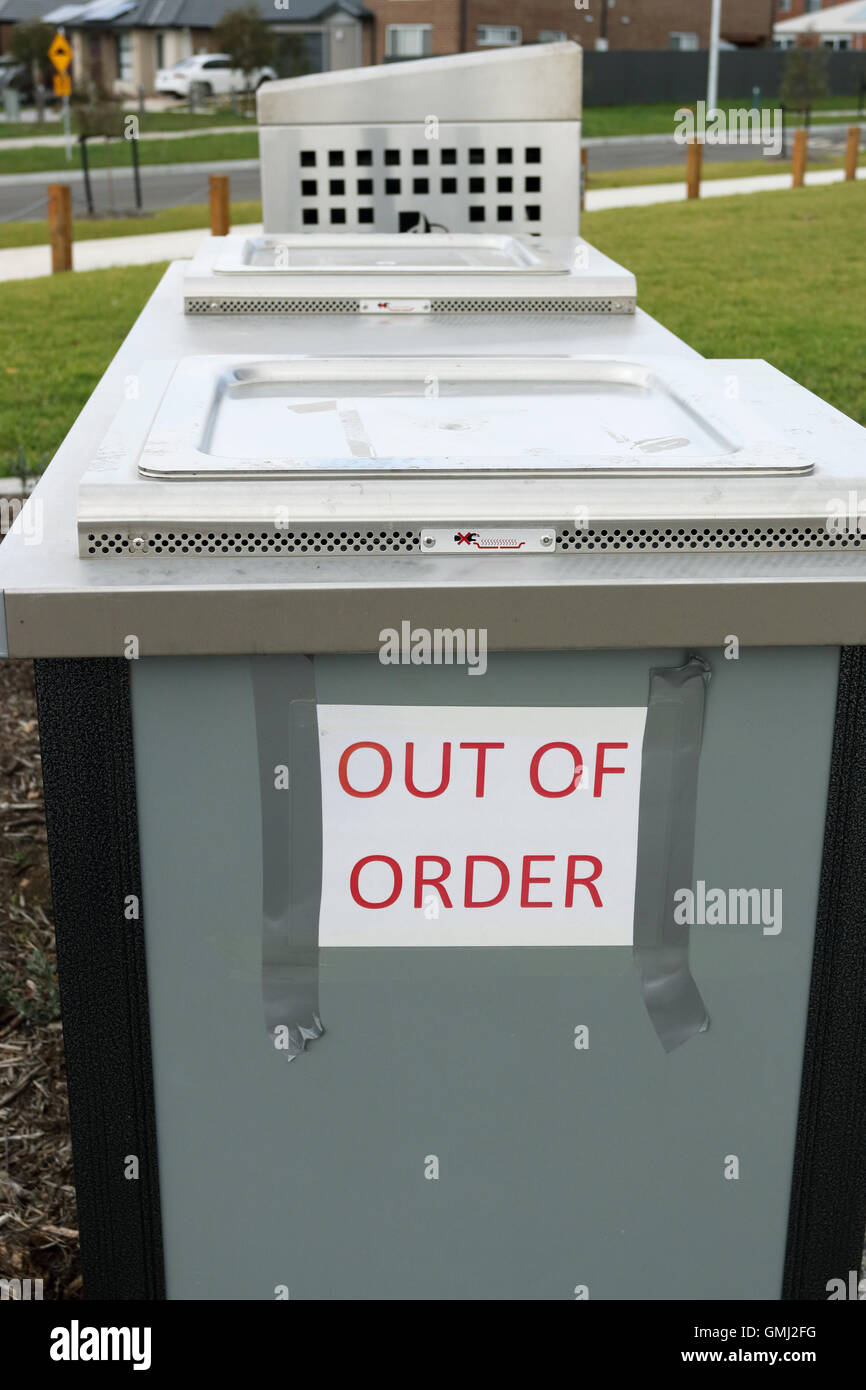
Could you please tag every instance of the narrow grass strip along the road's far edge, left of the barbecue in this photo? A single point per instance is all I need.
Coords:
(233, 145)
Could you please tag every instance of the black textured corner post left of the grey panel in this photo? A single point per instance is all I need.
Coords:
(85, 725)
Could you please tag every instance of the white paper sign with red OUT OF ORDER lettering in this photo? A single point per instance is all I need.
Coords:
(479, 828)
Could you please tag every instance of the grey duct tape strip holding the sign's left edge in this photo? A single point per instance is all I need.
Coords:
(290, 776)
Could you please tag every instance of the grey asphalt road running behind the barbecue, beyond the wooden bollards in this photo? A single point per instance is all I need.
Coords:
(169, 186)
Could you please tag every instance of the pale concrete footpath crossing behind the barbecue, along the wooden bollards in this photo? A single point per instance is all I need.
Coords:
(31, 262)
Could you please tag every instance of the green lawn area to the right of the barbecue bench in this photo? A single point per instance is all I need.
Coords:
(775, 276)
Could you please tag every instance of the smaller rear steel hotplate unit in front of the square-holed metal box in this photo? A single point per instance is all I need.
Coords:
(429, 273)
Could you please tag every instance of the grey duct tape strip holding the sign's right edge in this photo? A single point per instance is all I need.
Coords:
(667, 850)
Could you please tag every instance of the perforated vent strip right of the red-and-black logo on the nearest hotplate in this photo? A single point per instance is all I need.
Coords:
(708, 539)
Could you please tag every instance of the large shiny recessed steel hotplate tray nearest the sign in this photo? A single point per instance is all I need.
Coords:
(290, 418)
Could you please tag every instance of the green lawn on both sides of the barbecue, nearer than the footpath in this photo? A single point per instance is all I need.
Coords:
(775, 276)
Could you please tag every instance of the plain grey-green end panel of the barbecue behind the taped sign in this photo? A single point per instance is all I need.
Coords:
(557, 1167)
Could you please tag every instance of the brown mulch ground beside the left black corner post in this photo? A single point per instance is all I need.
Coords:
(38, 1223)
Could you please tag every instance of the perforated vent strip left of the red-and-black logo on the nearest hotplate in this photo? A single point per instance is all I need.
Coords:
(255, 543)
